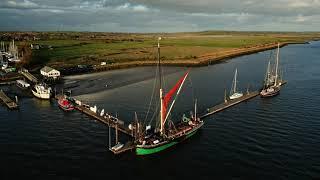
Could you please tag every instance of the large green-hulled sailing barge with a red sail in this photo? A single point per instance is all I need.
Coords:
(169, 133)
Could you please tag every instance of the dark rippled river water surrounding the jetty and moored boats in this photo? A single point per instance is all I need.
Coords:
(259, 139)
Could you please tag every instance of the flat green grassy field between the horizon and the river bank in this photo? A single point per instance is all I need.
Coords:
(114, 48)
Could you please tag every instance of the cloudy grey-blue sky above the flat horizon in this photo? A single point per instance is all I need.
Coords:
(159, 15)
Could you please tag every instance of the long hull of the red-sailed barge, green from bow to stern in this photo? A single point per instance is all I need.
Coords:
(168, 144)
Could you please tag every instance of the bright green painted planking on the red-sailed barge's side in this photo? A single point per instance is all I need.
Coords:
(146, 151)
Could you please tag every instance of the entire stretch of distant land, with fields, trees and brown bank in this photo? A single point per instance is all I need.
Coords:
(105, 51)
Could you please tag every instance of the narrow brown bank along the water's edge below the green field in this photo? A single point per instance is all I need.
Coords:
(204, 60)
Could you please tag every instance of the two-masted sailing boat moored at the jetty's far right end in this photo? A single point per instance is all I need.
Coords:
(273, 89)
